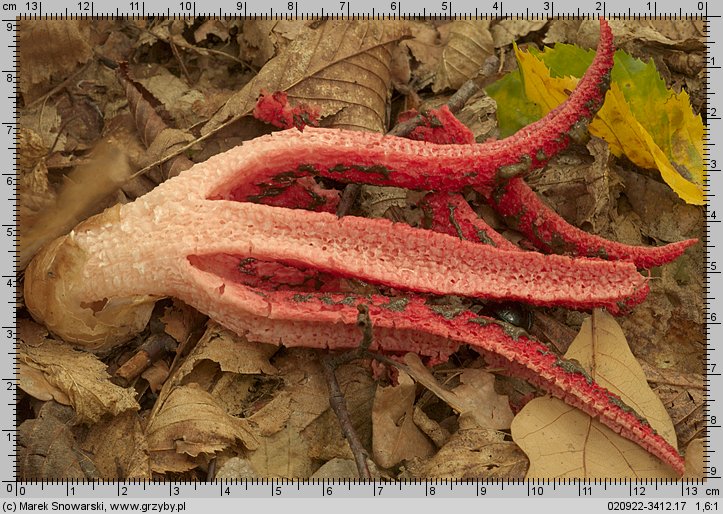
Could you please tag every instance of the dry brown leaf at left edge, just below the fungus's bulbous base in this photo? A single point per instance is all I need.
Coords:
(68, 375)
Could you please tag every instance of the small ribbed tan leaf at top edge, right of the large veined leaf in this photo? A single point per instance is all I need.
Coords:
(465, 51)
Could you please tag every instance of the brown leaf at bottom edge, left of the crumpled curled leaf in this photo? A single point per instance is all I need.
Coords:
(118, 448)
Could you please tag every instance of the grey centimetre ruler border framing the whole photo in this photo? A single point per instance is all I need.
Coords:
(688, 495)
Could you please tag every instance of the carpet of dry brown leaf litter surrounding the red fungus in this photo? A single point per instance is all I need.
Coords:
(256, 411)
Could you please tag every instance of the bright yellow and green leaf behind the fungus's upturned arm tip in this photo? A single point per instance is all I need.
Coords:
(632, 121)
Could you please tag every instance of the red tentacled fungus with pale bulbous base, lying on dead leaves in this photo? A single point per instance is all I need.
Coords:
(248, 238)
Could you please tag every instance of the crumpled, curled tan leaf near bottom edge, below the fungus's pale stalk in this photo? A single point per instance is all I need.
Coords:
(191, 424)
